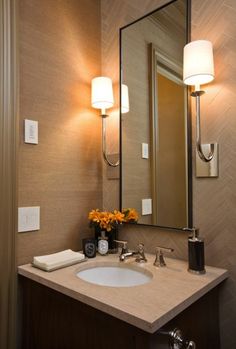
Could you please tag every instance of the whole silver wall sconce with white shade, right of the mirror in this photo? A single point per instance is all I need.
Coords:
(198, 70)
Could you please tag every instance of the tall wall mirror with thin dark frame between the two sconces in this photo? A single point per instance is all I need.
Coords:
(156, 171)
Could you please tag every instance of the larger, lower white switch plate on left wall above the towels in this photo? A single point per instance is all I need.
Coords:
(28, 219)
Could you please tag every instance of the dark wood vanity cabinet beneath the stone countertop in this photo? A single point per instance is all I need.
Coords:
(51, 320)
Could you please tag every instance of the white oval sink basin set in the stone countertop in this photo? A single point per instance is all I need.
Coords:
(115, 276)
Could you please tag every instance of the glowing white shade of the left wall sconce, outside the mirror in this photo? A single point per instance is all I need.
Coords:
(102, 93)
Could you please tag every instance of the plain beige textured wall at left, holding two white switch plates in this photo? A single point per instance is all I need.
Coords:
(59, 55)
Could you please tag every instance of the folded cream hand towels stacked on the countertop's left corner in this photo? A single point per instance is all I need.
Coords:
(58, 260)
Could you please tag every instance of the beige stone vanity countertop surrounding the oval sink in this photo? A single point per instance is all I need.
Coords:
(149, 306)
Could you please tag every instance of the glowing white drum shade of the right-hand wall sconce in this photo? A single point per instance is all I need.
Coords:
(198, 63)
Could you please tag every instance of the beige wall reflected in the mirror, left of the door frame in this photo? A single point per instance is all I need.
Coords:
(136, 184)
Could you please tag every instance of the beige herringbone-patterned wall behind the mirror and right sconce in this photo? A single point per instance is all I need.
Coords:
(214, 199)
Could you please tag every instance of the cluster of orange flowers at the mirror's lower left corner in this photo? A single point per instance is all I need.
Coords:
(108, 220)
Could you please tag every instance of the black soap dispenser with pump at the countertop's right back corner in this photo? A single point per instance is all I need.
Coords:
(196, 255)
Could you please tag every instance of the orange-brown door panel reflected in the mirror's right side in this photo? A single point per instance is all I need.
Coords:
(171, 152)
